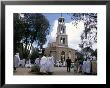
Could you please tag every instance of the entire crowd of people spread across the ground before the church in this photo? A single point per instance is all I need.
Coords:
(47, 63)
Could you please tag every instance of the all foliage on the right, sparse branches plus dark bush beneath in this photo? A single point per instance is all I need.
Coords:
(89, 35)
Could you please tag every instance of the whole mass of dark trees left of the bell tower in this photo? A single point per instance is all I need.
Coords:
(32, 27)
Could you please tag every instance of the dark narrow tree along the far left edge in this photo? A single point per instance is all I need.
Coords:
(18, 31)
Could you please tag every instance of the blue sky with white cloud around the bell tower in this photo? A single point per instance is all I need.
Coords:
(72, 31)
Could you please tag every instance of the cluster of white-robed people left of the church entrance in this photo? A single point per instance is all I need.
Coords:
(46, 63)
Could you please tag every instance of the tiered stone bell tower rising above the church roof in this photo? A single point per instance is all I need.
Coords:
(62, 38)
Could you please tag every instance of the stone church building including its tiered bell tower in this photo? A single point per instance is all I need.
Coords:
(59, 49)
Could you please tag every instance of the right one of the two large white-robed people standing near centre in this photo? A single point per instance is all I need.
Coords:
(50, 65)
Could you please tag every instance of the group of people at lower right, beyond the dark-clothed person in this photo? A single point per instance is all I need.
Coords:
(87, 67)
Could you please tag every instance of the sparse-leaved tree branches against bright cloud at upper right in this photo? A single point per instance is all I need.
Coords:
(89, 35)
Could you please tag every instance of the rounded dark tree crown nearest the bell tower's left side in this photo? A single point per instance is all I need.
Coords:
(38, 28)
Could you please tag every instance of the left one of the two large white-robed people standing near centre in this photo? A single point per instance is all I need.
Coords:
(43, 63)
